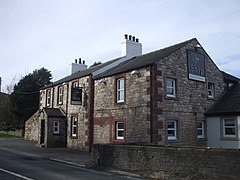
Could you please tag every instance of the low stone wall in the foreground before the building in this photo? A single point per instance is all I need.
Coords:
(169, 162)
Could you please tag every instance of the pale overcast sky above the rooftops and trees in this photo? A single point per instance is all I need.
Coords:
(52, 33)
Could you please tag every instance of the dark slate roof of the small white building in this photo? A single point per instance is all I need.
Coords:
(229, 104)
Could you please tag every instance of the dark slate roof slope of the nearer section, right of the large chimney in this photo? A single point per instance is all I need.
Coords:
(143, 60)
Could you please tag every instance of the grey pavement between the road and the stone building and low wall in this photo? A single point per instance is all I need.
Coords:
(62, 155)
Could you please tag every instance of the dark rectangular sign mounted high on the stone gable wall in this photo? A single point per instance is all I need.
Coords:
(196, 66)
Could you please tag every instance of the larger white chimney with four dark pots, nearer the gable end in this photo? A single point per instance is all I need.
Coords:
(131, 47)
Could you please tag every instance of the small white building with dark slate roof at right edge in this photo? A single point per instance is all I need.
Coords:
(223, 120)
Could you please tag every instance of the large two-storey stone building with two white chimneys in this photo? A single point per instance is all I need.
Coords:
(160, 97)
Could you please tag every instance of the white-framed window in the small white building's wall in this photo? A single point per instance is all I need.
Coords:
(229, 127)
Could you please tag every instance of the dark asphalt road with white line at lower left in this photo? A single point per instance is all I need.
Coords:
(17, 166)
